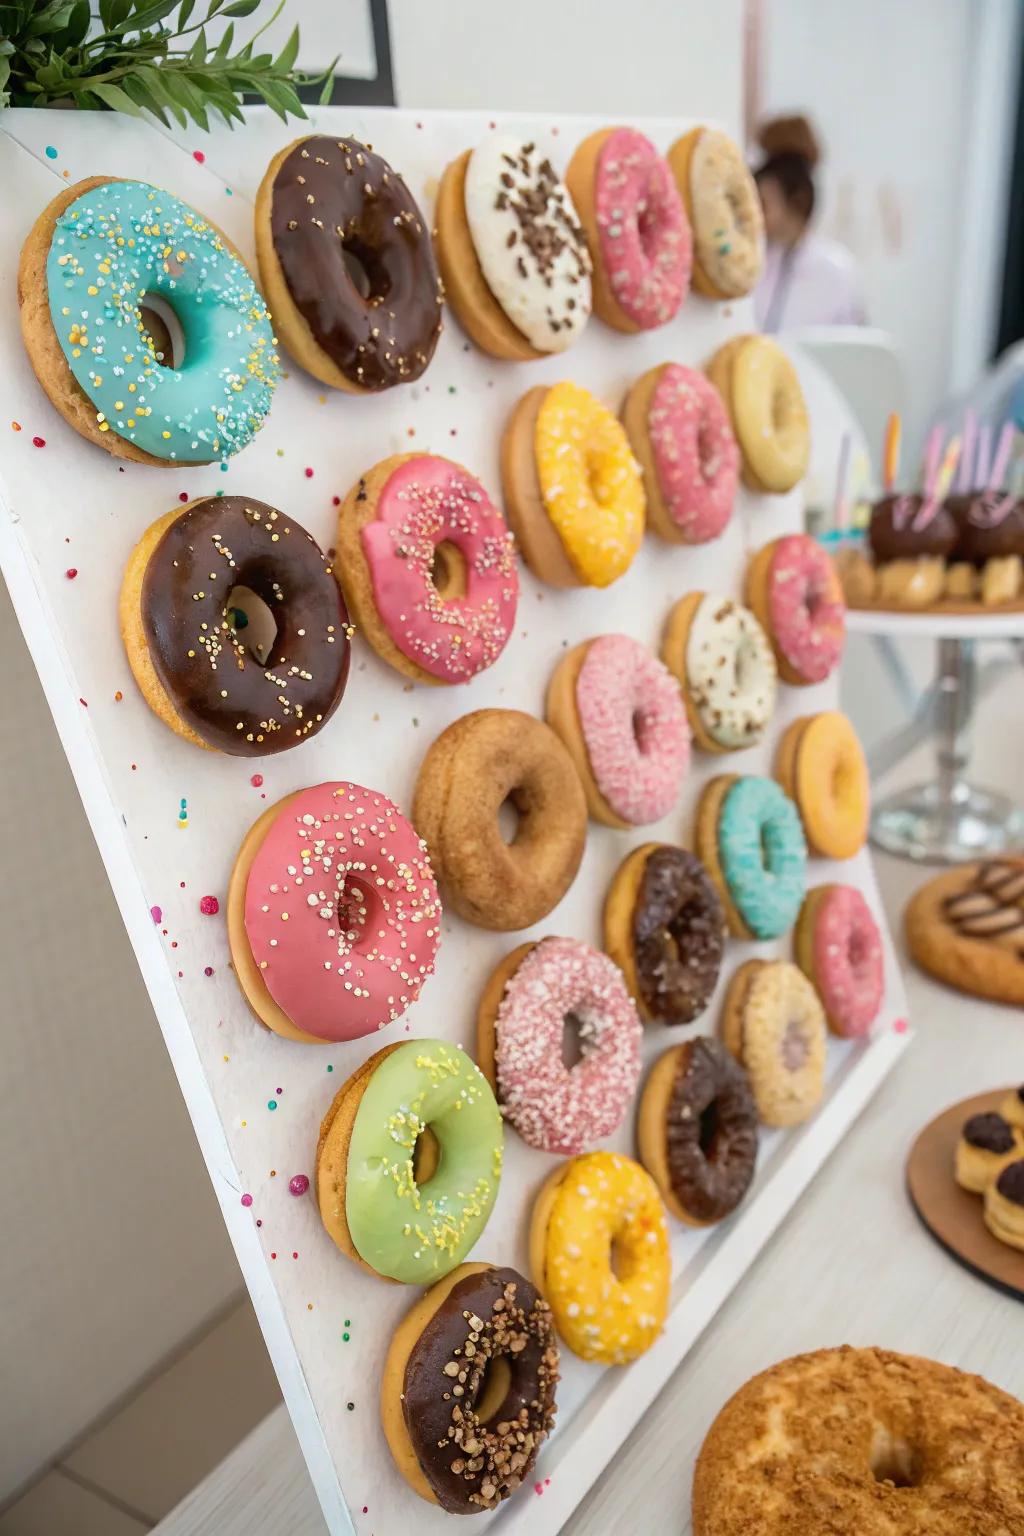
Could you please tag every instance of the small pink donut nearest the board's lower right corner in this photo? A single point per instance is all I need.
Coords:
(839, 948)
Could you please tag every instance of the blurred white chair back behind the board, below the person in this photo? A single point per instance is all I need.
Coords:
(865, 366)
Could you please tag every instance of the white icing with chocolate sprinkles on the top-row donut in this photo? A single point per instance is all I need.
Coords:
(529, 242)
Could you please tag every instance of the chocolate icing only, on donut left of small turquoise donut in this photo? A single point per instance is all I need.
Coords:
(678, 936)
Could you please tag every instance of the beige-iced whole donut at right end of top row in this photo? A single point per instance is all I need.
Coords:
(725, 213)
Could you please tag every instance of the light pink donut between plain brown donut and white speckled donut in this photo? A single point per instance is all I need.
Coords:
(621, 713)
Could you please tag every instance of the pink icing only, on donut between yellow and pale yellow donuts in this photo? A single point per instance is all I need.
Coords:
(696, 457)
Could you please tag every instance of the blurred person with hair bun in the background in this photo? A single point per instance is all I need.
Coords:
(808, 280)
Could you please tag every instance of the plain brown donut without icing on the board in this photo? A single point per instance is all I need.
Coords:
(477, 766)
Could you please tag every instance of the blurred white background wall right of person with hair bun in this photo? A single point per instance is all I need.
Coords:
(891, 88)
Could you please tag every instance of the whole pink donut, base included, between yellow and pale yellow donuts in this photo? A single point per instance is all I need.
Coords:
(682, 435)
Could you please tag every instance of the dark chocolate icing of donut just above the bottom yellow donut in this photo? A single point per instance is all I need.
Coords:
(710, 1131)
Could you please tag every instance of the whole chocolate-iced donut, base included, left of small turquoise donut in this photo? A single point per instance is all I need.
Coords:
(666, 929)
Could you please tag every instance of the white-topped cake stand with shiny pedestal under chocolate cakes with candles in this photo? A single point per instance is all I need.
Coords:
(946, 821)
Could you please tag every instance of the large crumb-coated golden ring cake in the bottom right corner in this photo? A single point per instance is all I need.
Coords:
(896, 1443)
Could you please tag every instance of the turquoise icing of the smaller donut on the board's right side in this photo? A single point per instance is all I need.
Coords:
(764, 855)
